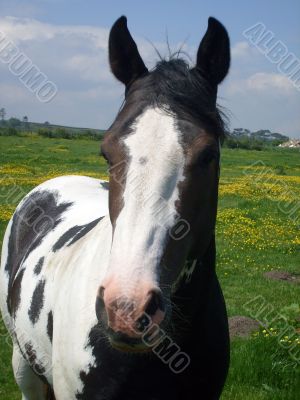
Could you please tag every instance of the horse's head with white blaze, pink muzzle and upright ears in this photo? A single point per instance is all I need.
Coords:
(163, 153)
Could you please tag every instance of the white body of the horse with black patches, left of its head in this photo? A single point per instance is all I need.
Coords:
(59, 236)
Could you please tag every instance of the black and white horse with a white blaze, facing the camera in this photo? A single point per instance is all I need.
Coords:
(109, 289)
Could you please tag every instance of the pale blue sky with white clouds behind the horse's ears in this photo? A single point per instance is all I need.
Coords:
(67, 41)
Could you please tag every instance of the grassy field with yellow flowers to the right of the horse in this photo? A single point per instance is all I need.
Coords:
(254, 236)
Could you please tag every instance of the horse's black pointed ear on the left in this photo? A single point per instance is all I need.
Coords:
(125, 61)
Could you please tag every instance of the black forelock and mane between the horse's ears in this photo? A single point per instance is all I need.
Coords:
(173, 86)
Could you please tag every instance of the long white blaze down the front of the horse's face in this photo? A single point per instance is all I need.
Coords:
(156, 166)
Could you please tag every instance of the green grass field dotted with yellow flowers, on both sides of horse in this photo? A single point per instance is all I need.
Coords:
(257, 231)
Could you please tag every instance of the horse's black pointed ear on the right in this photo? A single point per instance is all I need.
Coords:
(213, 57)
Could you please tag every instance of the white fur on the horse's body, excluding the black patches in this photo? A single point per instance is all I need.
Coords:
(73, 275)
